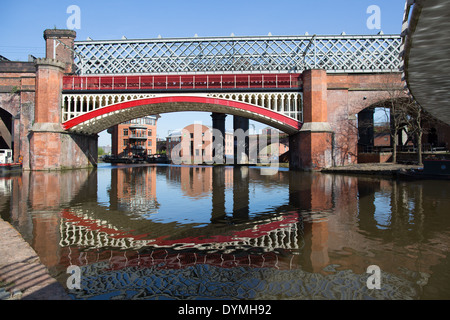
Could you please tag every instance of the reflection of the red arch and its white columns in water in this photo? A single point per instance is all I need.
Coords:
(82, 230)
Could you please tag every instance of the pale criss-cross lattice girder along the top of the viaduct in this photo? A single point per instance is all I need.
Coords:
(343, 53)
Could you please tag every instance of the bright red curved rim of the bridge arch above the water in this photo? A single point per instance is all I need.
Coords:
(289, 124)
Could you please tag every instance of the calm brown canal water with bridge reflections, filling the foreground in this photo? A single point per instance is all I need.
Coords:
(197, 232)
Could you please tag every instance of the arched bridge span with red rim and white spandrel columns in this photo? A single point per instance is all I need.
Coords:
(92, 114)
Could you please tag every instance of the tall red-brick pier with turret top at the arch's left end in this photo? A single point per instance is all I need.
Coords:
(51, 147)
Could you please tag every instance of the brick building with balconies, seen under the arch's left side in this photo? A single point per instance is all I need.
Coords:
(133, 138)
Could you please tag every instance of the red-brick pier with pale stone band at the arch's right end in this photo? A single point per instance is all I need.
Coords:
(311, 148)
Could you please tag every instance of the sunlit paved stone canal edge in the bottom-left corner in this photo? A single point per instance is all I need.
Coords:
(22, 275)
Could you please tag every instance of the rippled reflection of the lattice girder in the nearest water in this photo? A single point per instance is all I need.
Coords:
(213, 281)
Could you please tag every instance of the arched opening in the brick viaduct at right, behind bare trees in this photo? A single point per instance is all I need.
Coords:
(392, 124)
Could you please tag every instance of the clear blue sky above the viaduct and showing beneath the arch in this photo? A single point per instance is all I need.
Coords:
(22, 24)
